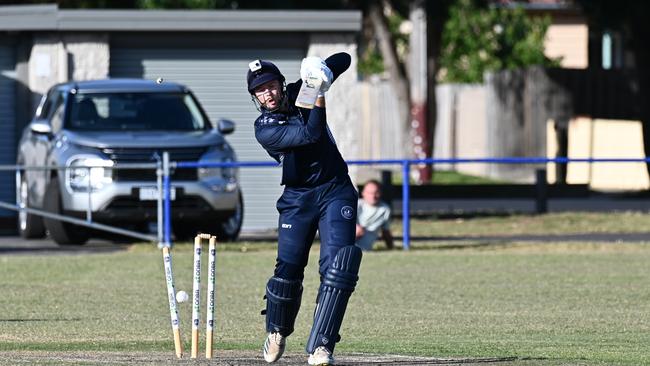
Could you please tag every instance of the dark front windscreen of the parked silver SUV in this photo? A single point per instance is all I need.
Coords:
(134, 112)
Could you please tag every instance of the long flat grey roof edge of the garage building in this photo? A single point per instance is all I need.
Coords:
(50, 17)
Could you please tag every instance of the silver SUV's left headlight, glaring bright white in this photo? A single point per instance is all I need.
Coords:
(87, 172)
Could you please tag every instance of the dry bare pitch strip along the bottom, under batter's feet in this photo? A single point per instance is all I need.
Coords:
(223, 358)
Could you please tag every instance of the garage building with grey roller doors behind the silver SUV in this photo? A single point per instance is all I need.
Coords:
(209, 51)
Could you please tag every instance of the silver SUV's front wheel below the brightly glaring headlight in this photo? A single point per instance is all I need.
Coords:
(61, 232)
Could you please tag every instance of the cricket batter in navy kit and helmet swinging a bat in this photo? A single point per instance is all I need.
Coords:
(318, 195)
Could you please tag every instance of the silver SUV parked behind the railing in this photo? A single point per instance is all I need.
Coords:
(108, 122)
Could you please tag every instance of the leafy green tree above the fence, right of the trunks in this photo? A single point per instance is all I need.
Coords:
(478, 39)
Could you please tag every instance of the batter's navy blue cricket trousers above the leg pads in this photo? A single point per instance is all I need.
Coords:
(331, 208)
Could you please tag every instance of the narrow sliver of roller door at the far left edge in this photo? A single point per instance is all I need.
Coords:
(8, 125)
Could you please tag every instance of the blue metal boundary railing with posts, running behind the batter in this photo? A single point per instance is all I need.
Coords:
(406, 168)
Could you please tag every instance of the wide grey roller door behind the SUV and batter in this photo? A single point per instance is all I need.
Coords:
(218, 79)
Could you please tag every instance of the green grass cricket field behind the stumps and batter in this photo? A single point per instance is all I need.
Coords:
(558, 303)
